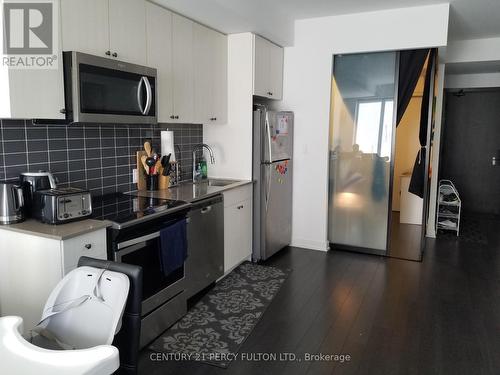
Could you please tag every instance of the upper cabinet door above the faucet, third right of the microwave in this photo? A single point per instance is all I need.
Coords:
(210, 75)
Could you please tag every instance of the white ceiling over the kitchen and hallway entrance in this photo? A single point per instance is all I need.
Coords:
(273, 19)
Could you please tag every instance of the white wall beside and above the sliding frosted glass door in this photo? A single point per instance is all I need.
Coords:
(307, 72)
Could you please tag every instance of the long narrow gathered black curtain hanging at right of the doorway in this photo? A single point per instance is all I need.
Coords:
(417, 182)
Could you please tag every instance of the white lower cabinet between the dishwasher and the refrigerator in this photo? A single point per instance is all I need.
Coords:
(237, 226)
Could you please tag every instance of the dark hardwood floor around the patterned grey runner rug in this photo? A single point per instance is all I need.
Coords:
(391, 316)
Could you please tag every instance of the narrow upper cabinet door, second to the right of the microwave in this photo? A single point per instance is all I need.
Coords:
(182, 70)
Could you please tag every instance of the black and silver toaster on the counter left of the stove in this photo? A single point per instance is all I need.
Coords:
(63, 205)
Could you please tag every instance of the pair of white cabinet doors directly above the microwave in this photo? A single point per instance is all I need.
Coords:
(113, 28)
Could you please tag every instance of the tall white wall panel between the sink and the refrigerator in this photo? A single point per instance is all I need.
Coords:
(232, 142)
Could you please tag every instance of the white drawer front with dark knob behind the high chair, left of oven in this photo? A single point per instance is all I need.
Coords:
(90, 244)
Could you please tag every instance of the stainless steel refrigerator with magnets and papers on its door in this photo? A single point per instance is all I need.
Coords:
(272, 172)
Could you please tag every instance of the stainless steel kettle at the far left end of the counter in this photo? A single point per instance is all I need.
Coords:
(11, 202)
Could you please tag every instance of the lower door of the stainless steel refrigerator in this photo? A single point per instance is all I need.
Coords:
(277, 206)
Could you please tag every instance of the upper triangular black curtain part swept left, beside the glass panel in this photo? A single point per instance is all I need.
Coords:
(411, 64)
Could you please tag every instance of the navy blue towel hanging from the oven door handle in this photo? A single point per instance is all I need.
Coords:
(173, 246)
